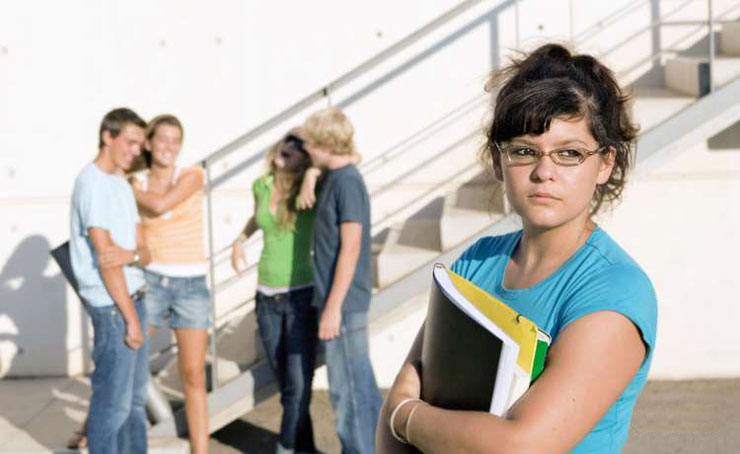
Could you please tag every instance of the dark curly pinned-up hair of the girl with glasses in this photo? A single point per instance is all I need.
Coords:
(551, 83)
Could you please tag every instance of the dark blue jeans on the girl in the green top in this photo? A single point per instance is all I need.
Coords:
(288, 327)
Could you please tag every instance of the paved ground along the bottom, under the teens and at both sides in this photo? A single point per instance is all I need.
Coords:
(698, 416)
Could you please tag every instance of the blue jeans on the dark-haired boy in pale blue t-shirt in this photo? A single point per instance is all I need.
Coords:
(117, 420)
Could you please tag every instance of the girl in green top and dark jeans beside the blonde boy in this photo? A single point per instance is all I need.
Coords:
(287, 321)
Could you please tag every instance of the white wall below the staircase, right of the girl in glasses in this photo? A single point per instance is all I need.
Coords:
(682, 224)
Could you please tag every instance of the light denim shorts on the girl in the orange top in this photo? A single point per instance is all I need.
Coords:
(177, 302)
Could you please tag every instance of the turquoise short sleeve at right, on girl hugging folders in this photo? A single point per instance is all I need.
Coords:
(622, 288)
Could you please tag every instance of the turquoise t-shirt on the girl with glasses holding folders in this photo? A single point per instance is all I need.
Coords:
(600, 276)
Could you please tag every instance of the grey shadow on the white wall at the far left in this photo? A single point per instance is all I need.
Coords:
(33, 313)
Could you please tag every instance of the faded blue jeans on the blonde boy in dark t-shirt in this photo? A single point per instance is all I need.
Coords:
(354, 392)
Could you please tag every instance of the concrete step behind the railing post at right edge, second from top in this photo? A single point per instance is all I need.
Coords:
(690, 75)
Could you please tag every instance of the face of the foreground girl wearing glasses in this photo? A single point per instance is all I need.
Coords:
(547, 195)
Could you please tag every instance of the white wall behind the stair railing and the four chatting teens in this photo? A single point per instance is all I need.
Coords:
(223, 67)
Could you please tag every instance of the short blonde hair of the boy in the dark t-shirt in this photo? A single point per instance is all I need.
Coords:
(332, 129)
